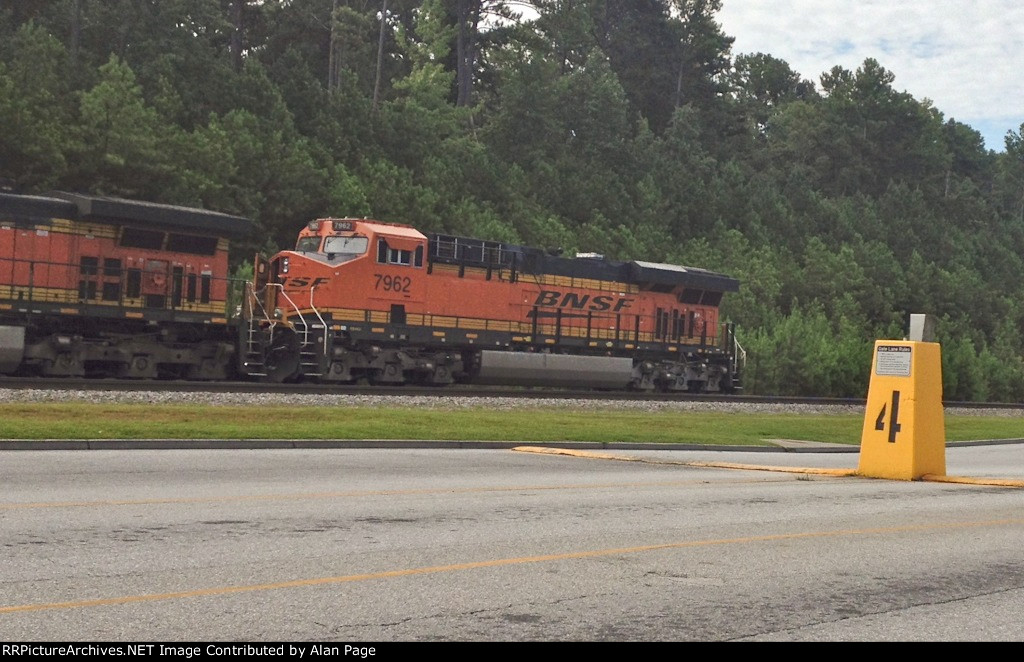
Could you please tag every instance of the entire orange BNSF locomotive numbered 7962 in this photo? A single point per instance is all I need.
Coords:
(362, 299)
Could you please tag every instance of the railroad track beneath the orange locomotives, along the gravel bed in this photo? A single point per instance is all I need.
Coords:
(437, 392)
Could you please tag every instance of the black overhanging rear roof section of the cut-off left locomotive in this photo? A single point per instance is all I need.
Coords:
(136, 212)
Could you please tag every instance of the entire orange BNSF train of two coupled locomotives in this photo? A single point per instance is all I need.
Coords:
(98, 286)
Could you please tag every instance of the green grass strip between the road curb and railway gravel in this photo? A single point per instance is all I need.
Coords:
(88, 422)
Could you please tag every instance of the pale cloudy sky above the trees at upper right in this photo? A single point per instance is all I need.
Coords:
(965, 56)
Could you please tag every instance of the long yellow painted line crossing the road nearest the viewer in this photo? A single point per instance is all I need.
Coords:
(497, 563)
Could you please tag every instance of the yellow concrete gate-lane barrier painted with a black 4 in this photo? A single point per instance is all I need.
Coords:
(905, 434)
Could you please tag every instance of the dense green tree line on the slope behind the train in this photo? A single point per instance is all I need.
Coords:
(624, 128)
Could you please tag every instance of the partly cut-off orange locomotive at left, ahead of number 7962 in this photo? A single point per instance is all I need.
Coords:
(97, 286)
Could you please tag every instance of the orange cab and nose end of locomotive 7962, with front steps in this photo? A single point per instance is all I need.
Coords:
(340, 272)
